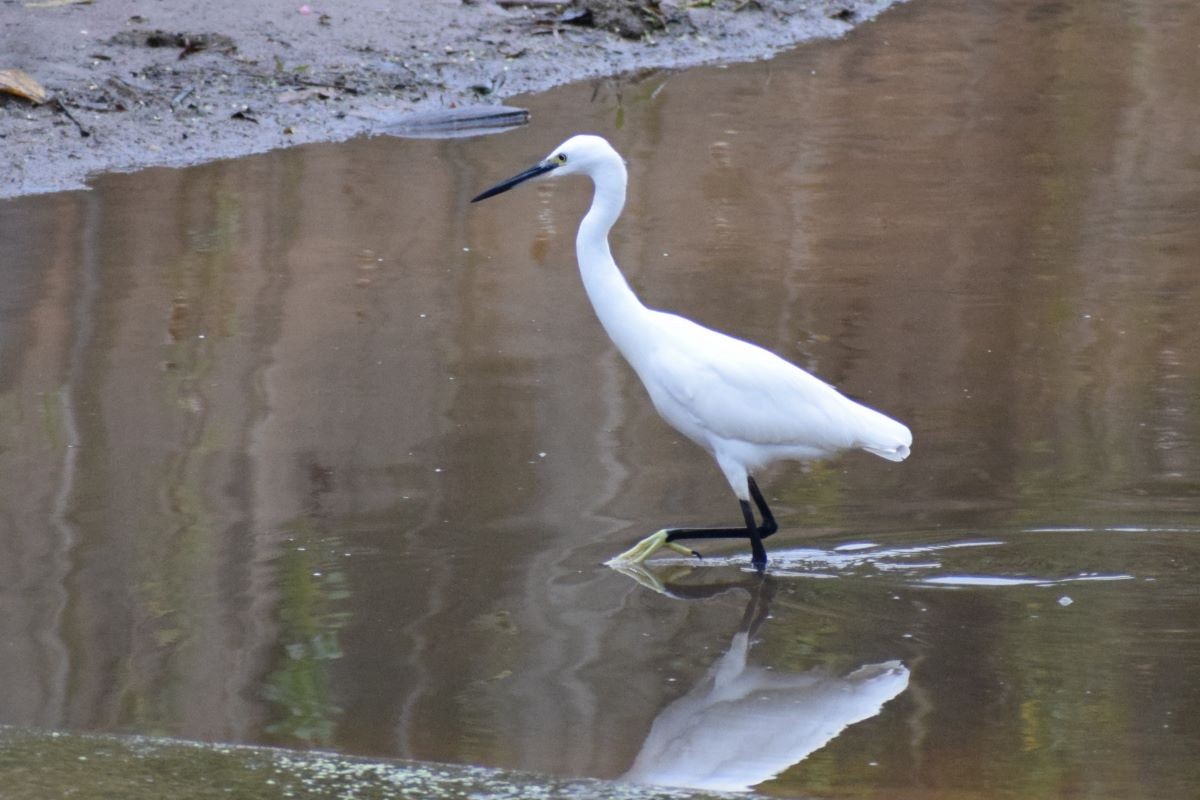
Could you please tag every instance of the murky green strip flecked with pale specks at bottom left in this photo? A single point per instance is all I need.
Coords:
(37, 766)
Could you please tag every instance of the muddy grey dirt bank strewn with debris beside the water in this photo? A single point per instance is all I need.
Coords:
(142, 83)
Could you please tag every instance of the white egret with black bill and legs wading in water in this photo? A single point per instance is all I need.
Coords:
(743, 405)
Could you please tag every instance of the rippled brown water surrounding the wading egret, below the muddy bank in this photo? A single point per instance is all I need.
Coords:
(304, 449)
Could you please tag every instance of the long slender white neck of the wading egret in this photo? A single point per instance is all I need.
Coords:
(619, 309)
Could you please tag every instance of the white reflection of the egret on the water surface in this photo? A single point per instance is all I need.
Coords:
(743, 725)
